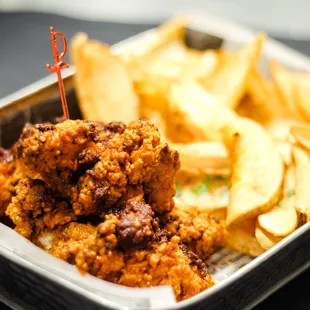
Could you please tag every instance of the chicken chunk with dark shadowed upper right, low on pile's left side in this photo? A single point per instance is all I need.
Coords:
(36, 207)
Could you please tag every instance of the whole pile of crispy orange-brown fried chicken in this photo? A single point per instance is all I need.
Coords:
(104, 193)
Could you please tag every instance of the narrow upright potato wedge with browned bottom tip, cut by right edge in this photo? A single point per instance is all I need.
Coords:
(302, 163)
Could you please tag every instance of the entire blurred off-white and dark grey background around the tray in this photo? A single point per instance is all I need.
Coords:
(25, 48)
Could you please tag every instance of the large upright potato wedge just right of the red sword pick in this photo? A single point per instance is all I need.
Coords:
(103, 85)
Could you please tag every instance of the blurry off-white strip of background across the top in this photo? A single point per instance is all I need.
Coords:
(287, 18)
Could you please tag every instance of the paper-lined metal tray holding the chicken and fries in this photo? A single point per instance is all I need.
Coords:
(31, 279)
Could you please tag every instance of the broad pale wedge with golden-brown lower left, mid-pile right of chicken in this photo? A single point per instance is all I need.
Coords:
(196, 113)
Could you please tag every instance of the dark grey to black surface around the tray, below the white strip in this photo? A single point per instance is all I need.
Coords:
(24, 51)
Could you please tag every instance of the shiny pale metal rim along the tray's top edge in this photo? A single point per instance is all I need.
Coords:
(51, 81)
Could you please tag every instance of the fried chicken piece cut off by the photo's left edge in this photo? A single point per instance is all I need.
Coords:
(10, 173)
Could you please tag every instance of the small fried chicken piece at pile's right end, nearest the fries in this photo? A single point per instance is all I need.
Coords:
(200, 232)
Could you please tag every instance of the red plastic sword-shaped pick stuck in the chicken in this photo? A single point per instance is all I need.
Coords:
(58, 65)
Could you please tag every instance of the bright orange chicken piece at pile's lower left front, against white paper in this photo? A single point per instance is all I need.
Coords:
(91, 249)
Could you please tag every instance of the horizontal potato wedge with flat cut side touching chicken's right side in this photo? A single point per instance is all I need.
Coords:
(203, 158)
